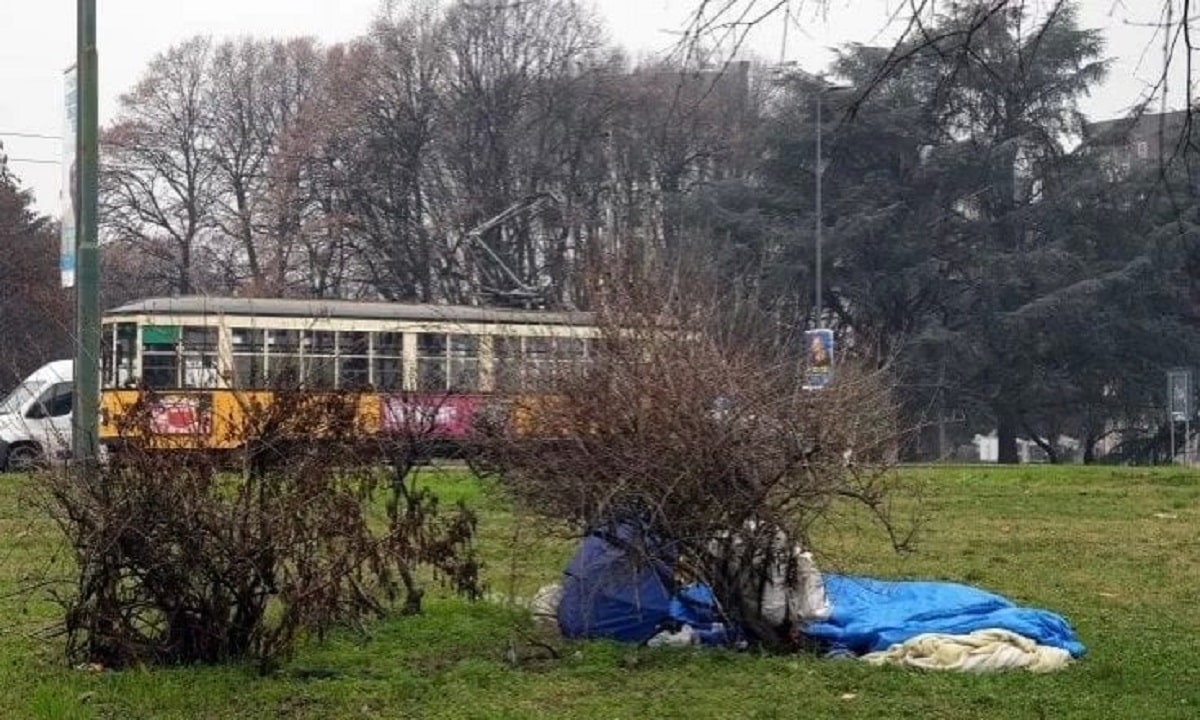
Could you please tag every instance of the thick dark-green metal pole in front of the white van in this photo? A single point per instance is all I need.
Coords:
(85, 431)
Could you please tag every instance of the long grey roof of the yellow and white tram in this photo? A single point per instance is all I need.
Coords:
(201, 305)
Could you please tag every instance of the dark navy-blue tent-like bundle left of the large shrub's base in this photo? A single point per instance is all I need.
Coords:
(619, 585)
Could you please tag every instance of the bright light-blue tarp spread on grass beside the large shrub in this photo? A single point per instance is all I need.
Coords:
(873, 615)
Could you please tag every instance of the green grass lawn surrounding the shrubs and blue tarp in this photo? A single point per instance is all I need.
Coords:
(1114, 550)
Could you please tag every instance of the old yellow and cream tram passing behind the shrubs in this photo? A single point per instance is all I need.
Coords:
(197, 363)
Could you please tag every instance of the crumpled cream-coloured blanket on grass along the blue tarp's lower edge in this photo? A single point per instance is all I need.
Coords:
(983, 651)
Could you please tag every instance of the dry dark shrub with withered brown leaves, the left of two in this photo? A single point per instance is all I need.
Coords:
(181, 562)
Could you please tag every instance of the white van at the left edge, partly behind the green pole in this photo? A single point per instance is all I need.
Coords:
(35, 418)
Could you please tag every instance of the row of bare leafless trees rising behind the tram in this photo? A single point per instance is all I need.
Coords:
(363, 169)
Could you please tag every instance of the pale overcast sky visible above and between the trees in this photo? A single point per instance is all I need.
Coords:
(38, 44)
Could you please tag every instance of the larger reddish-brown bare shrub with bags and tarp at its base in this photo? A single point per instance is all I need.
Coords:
(692, 423)
